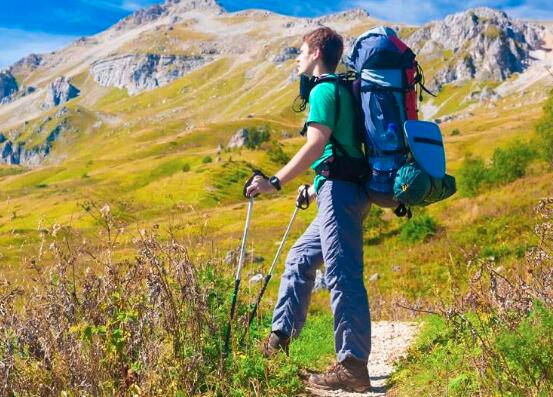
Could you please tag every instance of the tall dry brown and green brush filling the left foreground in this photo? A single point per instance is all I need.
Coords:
(151, 325)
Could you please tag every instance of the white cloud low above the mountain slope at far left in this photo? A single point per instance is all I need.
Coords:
(17, 44)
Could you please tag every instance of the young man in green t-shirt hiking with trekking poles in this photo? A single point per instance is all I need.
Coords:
(335, 235)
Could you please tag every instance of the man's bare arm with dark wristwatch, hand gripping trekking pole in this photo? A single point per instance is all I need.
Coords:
(317, 137)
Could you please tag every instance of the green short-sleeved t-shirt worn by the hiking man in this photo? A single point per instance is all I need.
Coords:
(322, 110)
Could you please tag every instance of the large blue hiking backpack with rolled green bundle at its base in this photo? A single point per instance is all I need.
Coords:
(405, 168)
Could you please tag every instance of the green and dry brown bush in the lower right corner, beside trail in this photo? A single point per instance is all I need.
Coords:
(496, 338)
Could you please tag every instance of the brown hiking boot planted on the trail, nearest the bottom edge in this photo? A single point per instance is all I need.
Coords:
(351, 375)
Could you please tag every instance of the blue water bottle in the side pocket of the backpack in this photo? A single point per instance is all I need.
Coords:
(384, 163)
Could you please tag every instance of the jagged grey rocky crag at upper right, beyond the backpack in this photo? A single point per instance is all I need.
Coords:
(481, 43)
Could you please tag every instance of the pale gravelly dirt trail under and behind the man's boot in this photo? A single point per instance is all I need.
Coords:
(390, 341)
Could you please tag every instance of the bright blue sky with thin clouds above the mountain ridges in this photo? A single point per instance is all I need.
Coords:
(40, 26)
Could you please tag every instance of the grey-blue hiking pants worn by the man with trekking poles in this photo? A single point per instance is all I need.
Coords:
(334, 238)
